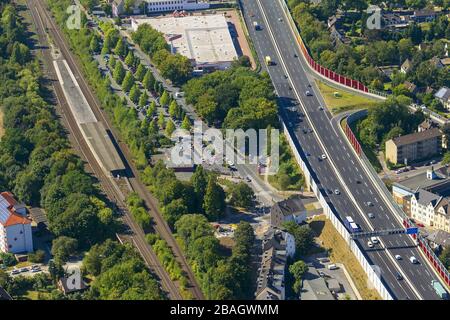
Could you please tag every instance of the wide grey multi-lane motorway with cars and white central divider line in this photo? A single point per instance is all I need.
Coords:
(340, 175)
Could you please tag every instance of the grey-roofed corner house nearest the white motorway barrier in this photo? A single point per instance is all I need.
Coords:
(291, 209)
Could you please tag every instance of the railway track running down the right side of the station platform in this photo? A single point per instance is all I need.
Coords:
(132, 174)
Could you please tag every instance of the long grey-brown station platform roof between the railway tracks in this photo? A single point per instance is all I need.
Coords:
(101, 145)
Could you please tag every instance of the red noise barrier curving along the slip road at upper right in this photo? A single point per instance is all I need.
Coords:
(325, 72)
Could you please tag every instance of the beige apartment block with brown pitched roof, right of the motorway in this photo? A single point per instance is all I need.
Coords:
(413, 147)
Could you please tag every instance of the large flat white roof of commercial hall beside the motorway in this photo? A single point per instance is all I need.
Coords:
(205, 39)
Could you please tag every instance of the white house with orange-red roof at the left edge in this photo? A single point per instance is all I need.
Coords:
(15, 227)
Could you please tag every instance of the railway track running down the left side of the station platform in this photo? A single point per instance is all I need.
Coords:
(108, 185)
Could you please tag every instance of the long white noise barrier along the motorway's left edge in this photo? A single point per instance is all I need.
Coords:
(334, 218)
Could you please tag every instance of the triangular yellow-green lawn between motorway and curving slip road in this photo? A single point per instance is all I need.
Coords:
(342, 100)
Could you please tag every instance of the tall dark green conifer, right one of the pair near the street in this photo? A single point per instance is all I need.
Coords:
(214, 200)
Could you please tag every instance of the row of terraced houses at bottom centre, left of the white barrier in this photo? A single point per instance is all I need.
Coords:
(278, 245)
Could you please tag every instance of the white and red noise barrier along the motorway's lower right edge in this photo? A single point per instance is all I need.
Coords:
(401, 216)
